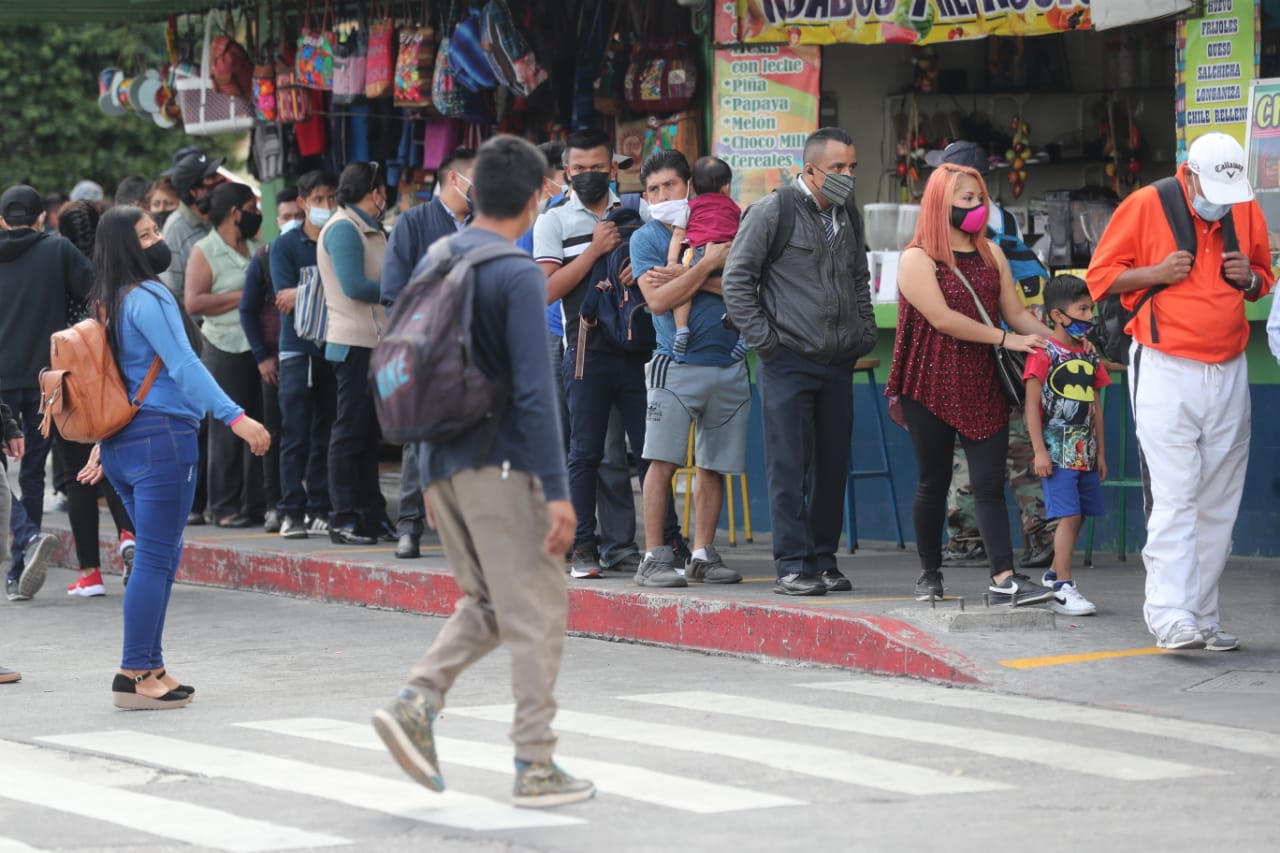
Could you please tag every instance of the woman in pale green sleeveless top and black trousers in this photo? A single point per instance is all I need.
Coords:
(216, 277)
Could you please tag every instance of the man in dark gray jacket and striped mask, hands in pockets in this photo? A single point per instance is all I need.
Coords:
(808, 316)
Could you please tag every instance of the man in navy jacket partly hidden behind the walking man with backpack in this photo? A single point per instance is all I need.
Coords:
(415, 231)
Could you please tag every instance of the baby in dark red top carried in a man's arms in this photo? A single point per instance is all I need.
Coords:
(714, 218)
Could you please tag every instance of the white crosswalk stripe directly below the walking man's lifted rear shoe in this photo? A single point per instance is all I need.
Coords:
(351, 788)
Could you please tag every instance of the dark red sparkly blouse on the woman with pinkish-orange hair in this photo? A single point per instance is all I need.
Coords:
(954, 380)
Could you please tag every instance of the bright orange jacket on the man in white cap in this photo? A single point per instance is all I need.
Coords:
(1203, 317)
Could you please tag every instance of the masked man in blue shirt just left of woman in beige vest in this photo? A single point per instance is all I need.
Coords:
(308, 390)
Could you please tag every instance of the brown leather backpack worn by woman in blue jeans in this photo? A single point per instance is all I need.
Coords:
(84, 391)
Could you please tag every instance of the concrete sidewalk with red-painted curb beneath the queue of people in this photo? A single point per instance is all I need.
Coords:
(877, 628)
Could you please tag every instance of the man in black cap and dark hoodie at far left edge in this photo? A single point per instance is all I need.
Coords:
(38, 275)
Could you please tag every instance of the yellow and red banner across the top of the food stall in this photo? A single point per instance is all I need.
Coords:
(907, 22)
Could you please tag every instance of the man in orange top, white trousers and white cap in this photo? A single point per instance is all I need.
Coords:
(1190, 380)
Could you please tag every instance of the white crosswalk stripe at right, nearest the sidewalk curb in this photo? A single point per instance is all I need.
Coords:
(1255, 743)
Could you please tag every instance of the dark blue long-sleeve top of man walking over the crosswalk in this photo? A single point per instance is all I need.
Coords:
(511, 344)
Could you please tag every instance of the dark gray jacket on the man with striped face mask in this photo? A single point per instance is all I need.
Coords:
(815, 300)
